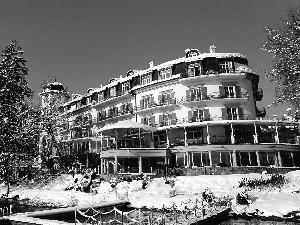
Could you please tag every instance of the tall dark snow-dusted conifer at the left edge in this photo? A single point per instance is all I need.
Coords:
(18, 132)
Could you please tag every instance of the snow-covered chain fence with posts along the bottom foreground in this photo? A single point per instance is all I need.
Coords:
(183, 213)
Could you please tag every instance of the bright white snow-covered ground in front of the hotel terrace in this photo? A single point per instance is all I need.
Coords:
(276, 202)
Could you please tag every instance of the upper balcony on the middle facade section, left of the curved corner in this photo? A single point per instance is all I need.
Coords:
(159, 105)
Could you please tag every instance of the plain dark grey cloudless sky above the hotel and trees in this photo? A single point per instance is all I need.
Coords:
(84, 43)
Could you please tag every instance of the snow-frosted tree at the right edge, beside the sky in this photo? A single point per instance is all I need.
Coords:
(284, 44)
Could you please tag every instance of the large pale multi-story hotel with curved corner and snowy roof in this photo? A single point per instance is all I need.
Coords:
(203, 106)
